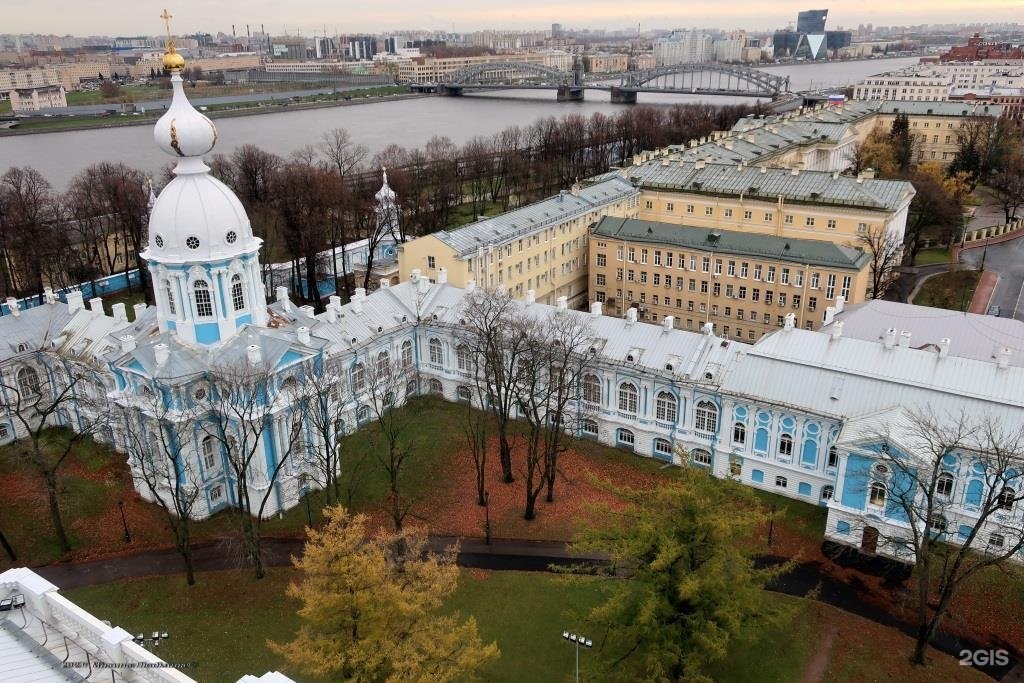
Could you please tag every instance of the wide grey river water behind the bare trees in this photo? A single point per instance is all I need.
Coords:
(411, 123)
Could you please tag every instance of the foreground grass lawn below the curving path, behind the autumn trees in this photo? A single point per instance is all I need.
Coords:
(223, 624)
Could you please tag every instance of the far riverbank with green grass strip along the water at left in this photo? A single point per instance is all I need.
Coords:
(267, 107)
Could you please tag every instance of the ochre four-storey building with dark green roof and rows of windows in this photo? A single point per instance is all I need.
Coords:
(743, 284)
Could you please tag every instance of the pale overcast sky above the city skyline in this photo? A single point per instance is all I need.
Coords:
(308, 17)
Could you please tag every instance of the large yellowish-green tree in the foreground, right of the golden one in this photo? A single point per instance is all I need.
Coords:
(687, 586)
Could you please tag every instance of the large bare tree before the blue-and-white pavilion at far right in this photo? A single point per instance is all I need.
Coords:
(925, 451)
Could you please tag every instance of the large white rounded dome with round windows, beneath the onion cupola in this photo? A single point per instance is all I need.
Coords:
(198, 219)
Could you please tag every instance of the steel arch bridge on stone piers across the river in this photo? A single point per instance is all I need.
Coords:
(703, 79)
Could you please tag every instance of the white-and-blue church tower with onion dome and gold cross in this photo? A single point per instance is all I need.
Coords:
(202, 254)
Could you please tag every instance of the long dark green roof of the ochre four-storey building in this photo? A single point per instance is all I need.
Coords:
(810, 252)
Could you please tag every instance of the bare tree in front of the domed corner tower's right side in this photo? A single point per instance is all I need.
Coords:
(244, 413)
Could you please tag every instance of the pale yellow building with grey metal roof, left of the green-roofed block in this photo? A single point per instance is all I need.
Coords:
(541, 248)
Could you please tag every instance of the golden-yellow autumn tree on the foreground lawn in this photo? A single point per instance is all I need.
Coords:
(370, 609)
